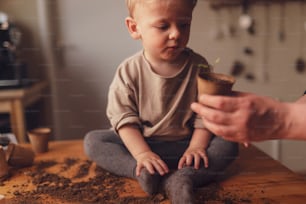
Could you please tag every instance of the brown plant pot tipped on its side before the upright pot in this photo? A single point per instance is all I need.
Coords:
(18, 156)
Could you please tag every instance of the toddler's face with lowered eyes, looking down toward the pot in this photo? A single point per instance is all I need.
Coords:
(163, 27)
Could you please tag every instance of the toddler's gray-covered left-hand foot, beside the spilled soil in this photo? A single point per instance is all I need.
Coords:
(149, 182)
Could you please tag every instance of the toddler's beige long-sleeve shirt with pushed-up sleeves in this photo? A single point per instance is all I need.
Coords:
(159, 105)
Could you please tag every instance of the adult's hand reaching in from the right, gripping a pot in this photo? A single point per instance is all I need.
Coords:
(243, 117)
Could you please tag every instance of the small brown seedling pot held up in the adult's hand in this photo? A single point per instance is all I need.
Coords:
(215, 84)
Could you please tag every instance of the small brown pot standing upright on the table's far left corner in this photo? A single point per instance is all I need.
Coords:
(39, 139)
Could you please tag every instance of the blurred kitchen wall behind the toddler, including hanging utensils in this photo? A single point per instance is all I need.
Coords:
(76, 46)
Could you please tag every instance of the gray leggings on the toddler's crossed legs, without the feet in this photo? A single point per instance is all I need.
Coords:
(107, 149)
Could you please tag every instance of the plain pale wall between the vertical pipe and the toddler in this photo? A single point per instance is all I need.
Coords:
(90, 42)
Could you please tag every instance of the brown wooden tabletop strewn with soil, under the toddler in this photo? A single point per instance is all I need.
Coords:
(253, 178)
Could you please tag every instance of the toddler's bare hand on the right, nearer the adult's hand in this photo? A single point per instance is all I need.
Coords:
(193, 155)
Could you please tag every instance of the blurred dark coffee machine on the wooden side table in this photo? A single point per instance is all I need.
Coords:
(12, 71)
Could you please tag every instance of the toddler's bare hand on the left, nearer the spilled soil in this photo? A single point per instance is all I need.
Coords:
(152, 162)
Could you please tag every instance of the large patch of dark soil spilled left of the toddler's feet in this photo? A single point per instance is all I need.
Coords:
(104, 187)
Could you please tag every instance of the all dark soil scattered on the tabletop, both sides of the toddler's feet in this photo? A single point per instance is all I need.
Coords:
(103, 187)
